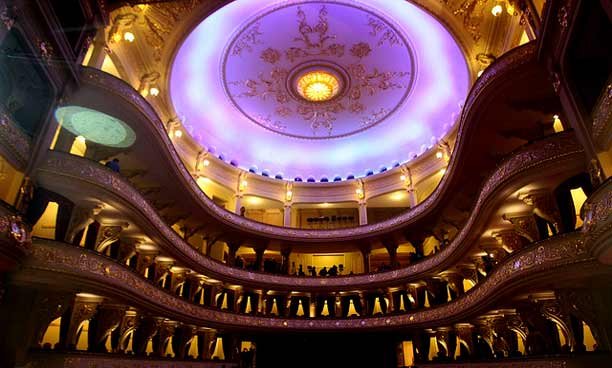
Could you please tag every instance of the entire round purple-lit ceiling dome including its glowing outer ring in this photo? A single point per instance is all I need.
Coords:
(318, 88)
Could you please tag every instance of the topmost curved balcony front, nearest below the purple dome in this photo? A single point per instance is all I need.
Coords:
(504, 68)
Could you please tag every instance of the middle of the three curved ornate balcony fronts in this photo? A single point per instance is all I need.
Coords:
(559, 152)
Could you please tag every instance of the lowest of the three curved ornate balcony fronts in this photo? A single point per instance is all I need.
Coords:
(53, 263)
